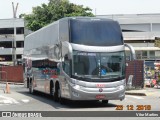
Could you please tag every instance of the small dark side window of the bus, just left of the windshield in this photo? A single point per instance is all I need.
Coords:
(66, 65)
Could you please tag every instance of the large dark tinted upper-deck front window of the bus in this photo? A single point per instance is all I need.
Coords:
(95, 32)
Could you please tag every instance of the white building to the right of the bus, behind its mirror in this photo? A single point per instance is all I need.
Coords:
(140, 31)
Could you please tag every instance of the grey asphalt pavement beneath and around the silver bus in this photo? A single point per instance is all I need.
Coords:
(21, 101)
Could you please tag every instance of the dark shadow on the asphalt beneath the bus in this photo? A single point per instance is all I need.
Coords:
(68, 103)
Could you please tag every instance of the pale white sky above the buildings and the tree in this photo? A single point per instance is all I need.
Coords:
(99, 7)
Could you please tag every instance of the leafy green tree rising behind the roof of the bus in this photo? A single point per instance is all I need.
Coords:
(54, 10)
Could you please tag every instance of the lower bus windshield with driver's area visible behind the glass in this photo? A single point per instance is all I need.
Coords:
(98, 66)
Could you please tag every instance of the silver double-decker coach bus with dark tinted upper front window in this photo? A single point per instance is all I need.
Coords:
(77, 58)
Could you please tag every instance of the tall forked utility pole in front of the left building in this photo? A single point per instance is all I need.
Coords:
(14, 38)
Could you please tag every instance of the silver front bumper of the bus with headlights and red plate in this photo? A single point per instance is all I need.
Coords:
(78, 93)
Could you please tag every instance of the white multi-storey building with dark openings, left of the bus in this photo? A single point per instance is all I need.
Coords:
(7, 37)
